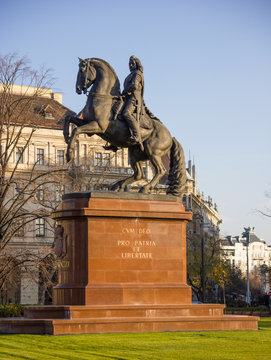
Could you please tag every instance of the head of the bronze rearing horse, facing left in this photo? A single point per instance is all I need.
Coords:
(86, 76)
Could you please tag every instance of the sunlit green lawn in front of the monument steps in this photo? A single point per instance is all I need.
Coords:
(226, 345)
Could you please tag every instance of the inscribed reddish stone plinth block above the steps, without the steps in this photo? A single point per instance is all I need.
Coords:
(122, 249)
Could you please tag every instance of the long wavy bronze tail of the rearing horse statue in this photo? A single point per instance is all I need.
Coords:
(177, 171)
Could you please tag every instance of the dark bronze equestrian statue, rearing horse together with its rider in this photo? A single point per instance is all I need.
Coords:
(124, 121)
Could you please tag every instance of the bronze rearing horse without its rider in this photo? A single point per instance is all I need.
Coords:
(99, 117)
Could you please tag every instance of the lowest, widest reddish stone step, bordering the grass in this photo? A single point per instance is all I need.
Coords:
(136, 324)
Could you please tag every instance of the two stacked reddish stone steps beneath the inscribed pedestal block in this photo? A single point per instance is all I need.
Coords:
(64, 320)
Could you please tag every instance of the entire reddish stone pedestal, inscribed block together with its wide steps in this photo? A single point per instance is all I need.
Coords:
(123, 269)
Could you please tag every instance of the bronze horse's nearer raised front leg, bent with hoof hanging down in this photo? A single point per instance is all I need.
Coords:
(89, 129)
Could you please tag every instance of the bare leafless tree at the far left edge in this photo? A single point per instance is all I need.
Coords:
(20, 87)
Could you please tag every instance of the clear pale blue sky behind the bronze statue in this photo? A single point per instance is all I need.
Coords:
(207, 77)
